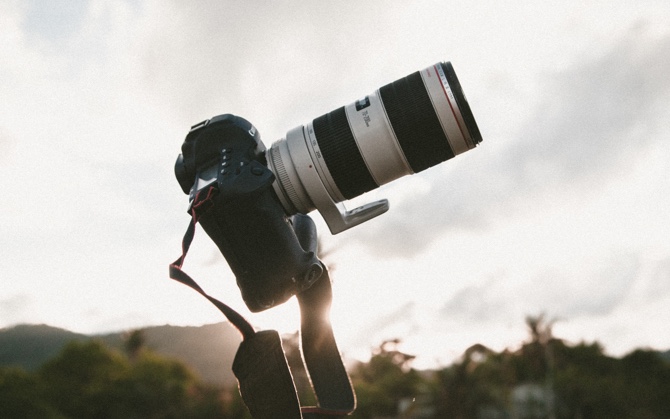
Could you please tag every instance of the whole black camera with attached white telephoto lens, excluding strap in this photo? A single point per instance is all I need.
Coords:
(251, 198)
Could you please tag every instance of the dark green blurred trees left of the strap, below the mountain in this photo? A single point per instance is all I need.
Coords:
(89, 380)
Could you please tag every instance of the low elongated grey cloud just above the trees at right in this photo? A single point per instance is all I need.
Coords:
(596, 290)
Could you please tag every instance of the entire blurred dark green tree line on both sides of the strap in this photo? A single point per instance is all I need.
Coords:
(544, 377)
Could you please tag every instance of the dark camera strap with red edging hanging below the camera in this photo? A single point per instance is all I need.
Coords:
(264, 377)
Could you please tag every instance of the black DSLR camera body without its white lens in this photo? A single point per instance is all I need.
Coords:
(224, 157)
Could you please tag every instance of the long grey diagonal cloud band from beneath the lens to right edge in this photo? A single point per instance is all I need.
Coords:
(592, 123)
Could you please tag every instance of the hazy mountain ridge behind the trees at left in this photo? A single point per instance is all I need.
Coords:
(209, 350)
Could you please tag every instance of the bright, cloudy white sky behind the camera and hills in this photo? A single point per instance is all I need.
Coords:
(563, 209)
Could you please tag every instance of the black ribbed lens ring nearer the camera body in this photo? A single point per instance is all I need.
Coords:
(341, 154)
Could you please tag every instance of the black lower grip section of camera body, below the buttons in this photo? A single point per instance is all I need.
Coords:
(259, 243)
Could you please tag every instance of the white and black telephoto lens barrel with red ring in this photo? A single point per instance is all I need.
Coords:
(402, 128)
